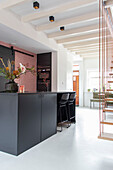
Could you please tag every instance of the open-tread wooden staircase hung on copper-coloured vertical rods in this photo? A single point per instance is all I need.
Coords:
(105, 72)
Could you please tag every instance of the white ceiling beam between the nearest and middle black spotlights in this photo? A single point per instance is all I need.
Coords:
(57, 10)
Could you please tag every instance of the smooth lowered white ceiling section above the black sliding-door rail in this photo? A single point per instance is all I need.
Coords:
(10, 36)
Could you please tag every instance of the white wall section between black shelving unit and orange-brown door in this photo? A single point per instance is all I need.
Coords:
(65, 70)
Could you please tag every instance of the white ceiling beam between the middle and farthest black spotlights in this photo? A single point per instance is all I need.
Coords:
(68, 21)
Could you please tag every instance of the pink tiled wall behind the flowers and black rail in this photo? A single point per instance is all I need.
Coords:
(28, 80)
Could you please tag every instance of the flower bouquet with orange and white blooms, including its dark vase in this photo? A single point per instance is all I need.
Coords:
(9, 73)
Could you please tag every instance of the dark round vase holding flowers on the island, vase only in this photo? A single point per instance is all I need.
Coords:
(11, 87)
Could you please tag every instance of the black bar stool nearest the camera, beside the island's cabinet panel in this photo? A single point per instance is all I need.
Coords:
(62, 112)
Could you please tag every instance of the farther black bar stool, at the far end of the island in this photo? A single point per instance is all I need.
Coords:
(71, 105)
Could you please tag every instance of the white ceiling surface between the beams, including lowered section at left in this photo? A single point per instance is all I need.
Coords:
(26, 8)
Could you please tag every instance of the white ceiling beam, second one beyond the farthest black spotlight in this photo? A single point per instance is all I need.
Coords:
(78, 38)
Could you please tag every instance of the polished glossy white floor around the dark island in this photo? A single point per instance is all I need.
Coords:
(76, 148)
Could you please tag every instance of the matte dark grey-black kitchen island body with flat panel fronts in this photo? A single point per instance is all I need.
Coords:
(26, 119)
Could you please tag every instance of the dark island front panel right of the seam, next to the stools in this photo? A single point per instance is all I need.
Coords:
(49, 115)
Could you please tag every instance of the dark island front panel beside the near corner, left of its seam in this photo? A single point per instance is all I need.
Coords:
(29, 121)
